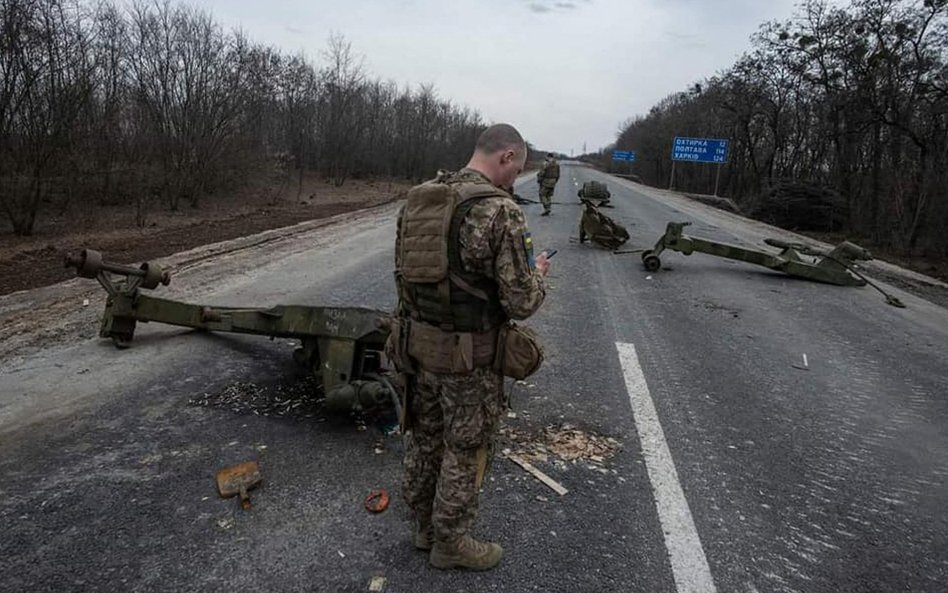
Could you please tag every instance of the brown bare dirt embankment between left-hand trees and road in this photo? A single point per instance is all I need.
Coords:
(32, 262)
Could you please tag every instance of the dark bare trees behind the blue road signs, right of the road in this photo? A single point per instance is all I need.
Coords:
(840, 113)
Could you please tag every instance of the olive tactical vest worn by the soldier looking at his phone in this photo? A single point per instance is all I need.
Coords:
(433, 285)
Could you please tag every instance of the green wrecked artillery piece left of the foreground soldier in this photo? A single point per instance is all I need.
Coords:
(342, 346)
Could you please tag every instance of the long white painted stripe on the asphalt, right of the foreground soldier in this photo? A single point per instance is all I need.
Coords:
(688, 562)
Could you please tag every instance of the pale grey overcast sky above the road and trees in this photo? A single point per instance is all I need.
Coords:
(564, 72)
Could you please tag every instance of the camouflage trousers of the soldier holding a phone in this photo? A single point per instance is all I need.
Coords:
(452, 417)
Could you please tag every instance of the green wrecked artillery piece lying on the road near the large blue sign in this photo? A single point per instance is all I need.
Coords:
(837, 266)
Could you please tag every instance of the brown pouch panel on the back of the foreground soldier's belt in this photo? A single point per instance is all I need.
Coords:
(439, 351)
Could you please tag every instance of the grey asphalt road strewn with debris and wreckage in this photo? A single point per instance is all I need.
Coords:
(737, 469)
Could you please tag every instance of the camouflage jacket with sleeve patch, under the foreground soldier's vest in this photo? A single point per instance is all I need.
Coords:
(494, 242)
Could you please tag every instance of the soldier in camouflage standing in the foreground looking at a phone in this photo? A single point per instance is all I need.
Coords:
(454, 390)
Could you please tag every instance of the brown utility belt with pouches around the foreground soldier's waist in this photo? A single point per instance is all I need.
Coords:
(512, 350)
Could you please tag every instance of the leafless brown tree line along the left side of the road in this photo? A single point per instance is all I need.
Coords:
(156, 104)
